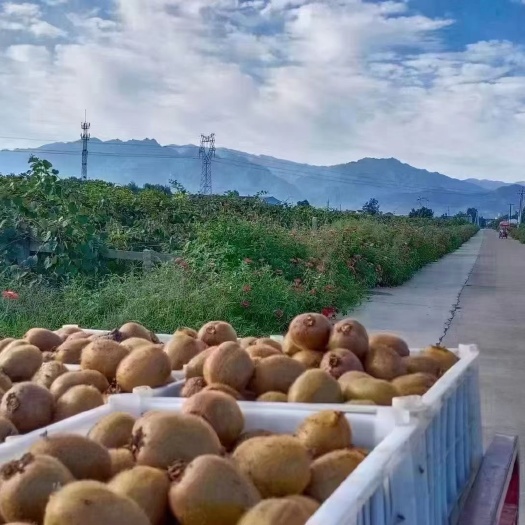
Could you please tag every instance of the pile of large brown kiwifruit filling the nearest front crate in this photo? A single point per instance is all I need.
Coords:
(198, 466)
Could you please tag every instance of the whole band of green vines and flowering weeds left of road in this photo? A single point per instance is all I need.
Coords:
(241, 260)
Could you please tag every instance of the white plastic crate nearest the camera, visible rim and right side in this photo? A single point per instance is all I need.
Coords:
(381, 491)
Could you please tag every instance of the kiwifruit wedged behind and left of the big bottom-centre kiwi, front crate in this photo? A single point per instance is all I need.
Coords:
(147, 487)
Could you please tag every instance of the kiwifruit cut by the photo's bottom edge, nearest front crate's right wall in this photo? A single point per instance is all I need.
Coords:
(277, 511)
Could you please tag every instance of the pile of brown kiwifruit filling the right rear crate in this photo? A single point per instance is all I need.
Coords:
(316, 363)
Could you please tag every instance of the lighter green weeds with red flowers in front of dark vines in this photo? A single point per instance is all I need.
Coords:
(256, 275)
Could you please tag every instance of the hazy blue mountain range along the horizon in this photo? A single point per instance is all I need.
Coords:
(397, 186)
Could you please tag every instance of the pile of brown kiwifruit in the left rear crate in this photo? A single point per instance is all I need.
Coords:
(37, 388)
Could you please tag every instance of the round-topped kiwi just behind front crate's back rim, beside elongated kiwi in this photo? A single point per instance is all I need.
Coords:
(315, 386)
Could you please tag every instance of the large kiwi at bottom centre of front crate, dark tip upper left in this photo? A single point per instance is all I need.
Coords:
(197, 499)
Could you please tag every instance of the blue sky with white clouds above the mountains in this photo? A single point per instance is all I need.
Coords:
(439, 84)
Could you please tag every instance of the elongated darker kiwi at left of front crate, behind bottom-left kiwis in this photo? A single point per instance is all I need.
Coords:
(84, 458)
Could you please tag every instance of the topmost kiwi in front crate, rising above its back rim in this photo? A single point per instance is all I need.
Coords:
(221, 411)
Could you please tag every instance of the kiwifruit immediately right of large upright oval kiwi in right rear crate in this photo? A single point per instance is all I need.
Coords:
(275, 374)
